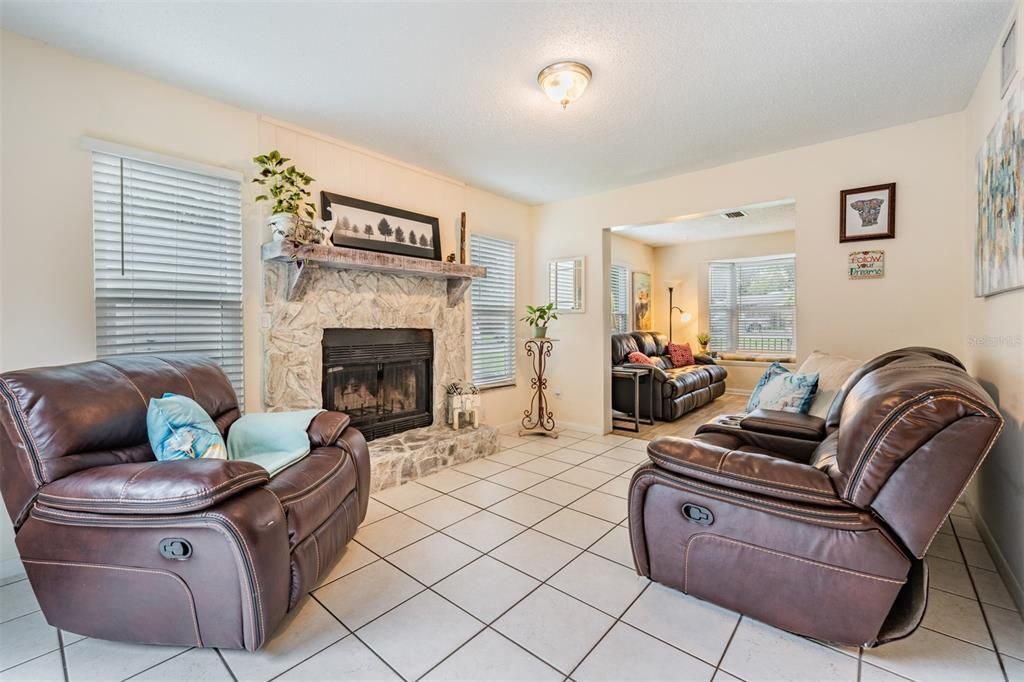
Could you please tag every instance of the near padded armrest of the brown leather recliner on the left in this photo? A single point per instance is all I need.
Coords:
(173, 487)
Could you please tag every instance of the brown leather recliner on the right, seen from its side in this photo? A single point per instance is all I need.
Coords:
(820, 528)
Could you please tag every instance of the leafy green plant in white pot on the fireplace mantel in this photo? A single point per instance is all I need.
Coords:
(287, 187)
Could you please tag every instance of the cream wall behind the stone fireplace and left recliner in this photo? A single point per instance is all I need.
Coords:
(52, 99)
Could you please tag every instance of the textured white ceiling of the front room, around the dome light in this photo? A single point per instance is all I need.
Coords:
(452, 87)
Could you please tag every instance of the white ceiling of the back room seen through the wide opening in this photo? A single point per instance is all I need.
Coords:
(763, 220)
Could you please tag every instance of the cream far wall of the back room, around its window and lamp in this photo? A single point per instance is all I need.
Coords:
(689, 264)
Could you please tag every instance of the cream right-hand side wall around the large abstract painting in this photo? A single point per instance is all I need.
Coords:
(995, 353)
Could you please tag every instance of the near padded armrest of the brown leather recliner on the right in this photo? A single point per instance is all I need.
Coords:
(742, 472)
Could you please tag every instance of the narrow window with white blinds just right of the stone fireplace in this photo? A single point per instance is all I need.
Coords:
(494, 312)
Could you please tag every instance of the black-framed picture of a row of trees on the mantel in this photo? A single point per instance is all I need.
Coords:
(360, 225)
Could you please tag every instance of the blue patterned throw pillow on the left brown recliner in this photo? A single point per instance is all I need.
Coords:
(181, 430)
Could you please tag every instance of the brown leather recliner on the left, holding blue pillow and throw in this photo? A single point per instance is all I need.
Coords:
(189, 552)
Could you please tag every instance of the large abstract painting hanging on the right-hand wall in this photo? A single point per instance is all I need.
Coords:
(1000, 241)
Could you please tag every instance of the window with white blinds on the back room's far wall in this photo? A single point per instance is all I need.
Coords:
(752, 306)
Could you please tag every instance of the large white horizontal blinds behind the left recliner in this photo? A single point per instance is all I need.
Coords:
(167, 246)
